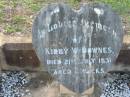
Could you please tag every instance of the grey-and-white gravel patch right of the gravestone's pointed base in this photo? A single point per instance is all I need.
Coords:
(117, 85)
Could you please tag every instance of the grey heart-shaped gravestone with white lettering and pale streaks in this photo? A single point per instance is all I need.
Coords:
(77, 47)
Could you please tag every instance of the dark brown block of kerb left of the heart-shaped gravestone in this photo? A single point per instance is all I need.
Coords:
(20, 56)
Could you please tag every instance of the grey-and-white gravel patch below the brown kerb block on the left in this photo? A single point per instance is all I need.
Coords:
(13, 84)
